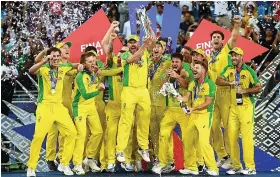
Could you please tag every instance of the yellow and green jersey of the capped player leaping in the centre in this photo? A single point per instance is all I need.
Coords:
(133, 74)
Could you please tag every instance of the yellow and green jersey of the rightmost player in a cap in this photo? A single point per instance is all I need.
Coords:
(248, 79)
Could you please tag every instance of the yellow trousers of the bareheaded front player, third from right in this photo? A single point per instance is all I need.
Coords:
(198, 127)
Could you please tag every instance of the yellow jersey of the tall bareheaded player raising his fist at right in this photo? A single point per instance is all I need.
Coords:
(219, 62)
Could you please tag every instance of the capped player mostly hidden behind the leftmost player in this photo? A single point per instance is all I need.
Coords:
(67, 93)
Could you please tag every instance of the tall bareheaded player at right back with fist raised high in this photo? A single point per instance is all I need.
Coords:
(219, 59)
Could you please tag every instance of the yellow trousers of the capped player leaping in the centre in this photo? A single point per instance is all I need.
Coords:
(129, 98)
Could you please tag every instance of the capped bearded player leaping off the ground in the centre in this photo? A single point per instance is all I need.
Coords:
(135, 93)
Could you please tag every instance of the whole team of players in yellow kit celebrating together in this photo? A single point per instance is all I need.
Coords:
(137, 122)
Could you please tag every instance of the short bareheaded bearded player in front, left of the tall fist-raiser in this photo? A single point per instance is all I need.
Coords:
(201, 93)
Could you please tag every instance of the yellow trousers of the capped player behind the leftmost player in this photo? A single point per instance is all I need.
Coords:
(53, 136)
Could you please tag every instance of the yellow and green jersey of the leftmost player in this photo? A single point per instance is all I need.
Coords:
(44, 83)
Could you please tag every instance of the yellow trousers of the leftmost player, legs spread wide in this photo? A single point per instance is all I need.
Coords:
(46, 116)
